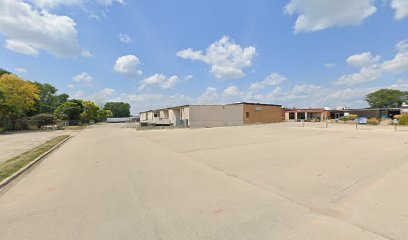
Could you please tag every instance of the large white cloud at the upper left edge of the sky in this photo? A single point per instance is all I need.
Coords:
(28, 30)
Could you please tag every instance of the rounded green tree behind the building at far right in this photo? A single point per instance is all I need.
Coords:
(386, 98)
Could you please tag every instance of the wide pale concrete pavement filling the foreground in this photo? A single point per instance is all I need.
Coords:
(253, 182)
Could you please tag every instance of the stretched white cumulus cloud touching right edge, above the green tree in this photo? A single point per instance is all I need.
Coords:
(370, 68)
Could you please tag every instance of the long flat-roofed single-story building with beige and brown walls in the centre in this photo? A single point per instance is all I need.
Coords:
(236, 114)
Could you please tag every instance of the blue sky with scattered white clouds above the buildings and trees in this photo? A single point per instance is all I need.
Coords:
(299, 53)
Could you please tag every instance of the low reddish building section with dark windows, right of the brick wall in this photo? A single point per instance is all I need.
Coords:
(306, 114)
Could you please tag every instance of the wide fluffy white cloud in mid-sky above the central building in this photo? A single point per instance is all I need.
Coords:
(226, 58)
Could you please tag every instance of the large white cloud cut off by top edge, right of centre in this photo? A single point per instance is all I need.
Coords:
(316, 15)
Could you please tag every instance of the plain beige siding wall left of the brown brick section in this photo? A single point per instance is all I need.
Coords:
(216, 116)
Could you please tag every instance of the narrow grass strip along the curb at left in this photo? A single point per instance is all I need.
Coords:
(11, 166)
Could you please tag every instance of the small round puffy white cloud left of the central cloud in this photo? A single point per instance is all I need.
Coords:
(128, 65)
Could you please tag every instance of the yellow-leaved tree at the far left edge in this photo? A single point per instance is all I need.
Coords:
(18, 96)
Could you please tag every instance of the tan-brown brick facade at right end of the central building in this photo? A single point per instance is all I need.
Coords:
(254, 113)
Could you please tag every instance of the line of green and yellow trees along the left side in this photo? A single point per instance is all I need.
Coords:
(26, 105)
